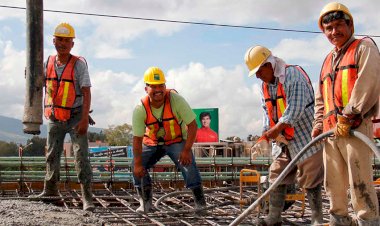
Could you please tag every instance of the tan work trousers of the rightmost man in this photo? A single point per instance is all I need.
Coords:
(348, 165)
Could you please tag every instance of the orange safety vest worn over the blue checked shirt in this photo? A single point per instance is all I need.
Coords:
(280, 103)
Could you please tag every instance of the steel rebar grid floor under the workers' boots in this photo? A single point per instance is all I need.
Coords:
(116, 206)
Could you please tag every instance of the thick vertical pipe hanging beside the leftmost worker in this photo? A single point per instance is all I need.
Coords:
(34, 67)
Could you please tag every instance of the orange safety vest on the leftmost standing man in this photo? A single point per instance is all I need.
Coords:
(60, 92)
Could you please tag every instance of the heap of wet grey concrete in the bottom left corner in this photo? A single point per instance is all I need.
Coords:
(23, 213)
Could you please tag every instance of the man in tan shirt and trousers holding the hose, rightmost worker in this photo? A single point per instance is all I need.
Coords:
(347, 98)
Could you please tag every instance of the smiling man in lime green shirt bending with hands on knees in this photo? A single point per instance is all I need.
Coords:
(163, 124)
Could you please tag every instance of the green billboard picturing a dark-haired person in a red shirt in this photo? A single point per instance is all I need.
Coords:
(208, 125)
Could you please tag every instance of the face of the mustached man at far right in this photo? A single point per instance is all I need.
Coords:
(338, 32)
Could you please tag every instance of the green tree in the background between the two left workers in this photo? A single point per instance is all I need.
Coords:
(119, 135)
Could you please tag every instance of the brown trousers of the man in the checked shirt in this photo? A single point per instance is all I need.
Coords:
(308, 173)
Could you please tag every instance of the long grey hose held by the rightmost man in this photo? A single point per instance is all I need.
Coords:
(292, 164)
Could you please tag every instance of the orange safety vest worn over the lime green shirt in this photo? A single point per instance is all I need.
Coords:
(173, 131)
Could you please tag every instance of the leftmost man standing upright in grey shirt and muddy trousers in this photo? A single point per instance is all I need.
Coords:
(67, 105)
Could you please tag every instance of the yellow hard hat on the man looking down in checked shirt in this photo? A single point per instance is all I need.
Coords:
(255, 57)
